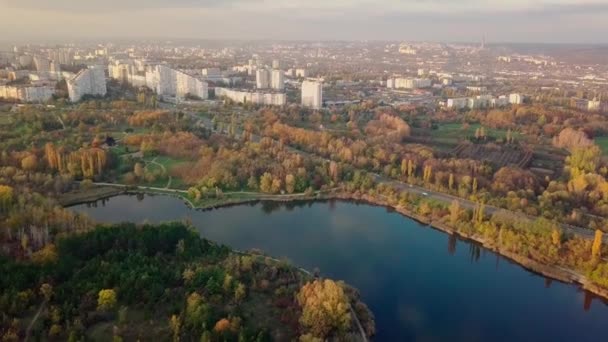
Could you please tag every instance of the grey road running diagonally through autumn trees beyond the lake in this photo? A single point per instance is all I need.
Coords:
(435, 195)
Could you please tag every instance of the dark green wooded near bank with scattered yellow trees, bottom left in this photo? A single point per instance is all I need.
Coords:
(128, 282)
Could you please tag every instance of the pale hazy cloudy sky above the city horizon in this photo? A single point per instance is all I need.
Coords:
(584, 21)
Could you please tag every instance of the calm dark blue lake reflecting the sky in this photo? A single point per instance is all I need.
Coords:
(421, 284)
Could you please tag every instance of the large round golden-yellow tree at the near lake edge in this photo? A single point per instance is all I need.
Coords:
(325, 308)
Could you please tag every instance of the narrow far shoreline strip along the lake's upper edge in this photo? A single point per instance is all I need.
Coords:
(551, 271)
